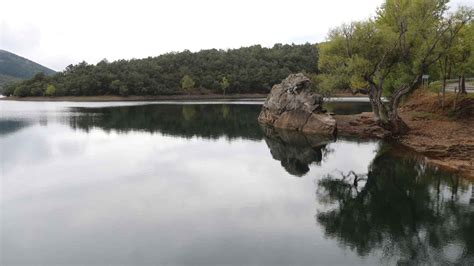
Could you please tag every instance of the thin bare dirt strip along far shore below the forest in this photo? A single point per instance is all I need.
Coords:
(111, 98)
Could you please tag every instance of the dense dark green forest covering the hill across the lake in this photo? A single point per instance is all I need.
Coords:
(245, 70)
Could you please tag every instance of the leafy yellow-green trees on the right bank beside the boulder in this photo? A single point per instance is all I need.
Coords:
(389, 54)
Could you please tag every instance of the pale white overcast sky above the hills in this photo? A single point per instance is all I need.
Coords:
(59, 33)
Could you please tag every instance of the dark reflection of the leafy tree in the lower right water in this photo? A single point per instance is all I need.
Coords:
(410, 212)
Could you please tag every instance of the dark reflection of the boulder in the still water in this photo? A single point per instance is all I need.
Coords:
(294, 150)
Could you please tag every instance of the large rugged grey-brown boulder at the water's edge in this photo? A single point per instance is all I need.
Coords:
(292, 105)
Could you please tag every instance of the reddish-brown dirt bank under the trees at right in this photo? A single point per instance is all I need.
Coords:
(445, 137)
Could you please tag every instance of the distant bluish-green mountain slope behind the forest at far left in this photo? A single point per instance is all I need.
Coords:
(15, 68)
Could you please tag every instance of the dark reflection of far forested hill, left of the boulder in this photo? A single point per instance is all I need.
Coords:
(207, 121)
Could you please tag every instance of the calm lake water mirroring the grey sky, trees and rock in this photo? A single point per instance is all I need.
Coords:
(204, 184)
